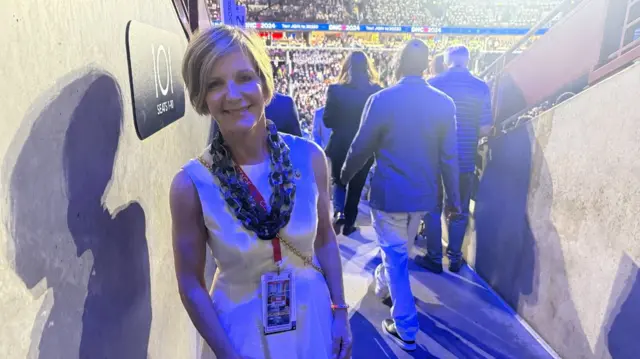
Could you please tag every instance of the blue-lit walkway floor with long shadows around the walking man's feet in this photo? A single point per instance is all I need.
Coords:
(460, 316)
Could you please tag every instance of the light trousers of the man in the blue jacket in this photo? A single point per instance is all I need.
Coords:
(396, 233)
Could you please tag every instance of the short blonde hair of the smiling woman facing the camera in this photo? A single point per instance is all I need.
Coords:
(208, 46)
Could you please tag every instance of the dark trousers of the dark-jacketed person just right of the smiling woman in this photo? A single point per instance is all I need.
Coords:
(347, 198)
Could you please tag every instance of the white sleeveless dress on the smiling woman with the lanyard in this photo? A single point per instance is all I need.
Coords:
(242, 258)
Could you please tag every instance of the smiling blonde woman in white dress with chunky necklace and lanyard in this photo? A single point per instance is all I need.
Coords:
(270, 255)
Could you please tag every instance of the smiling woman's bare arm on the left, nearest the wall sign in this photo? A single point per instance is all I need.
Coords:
(189, 249)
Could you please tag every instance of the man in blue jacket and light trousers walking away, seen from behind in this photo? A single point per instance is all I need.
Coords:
(410, 129)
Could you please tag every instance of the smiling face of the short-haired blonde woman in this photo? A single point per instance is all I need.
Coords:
(235, 96)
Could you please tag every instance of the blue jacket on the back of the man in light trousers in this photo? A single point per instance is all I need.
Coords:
(411, 129)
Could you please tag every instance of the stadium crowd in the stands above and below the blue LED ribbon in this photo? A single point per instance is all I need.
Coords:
(304, 66)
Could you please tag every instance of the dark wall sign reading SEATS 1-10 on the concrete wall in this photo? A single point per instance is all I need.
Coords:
(154, 57)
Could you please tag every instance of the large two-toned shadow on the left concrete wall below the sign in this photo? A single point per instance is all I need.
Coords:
(95, 263)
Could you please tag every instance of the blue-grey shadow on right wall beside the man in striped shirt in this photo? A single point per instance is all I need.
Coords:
(506, 248)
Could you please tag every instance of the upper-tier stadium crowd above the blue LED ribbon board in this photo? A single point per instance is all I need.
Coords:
(435, 13)
